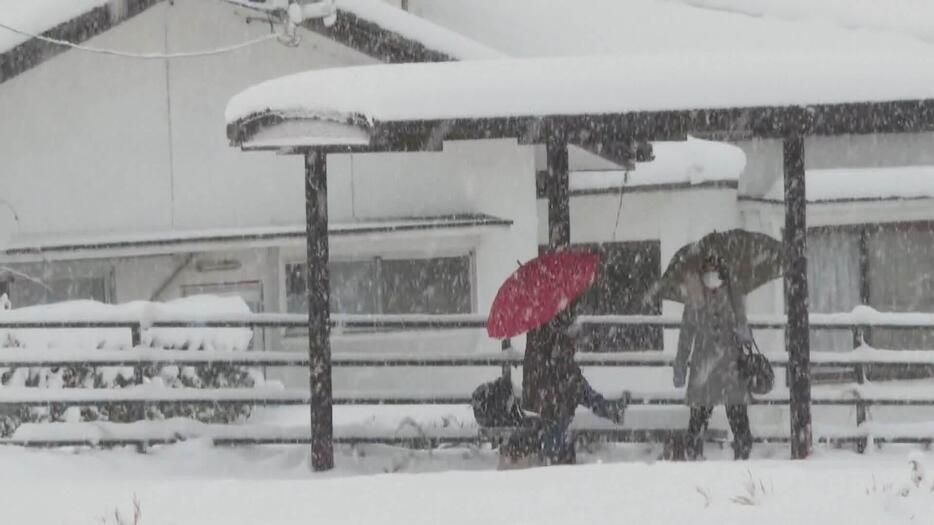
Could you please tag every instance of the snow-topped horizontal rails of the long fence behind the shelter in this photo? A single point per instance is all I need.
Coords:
(860, 396)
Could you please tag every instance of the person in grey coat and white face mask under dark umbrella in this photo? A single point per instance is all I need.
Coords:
(713, 327)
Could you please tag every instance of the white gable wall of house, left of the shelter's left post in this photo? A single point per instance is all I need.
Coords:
(87, 135)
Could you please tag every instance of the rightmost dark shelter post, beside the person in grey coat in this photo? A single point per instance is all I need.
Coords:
(796, 296)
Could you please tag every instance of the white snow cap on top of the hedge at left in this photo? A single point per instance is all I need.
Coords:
(90, 338)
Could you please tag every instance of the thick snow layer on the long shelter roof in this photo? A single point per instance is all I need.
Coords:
(363, 97)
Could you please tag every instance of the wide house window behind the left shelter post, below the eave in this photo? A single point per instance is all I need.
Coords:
(437, 285)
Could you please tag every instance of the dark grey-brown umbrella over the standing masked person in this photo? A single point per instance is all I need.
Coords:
(751, 259)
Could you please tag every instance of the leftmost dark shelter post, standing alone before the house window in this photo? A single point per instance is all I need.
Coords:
(319, 327)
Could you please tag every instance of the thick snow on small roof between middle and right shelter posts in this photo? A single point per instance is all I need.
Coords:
(694, 161)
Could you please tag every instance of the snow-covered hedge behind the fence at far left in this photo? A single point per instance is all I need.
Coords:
(83, 376)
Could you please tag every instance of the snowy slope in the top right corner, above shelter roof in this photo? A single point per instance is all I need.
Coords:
(905, 17)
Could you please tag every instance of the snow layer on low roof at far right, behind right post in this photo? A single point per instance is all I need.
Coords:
(904, 182)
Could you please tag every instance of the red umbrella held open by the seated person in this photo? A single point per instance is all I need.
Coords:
(541, 288)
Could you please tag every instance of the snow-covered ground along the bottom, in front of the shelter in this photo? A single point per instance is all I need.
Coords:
(194, 483)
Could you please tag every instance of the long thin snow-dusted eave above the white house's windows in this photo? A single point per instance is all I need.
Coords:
(155, 243)
